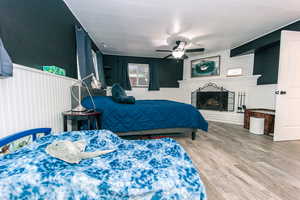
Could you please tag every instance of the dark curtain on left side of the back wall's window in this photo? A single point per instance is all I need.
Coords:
(120, 73)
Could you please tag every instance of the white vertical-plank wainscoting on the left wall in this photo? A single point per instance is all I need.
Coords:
(33, 99)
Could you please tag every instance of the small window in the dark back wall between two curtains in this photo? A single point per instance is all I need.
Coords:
(138, 74)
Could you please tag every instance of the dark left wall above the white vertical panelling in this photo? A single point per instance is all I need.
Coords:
(39, 32)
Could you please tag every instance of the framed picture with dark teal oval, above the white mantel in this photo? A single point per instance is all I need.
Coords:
(205, 67)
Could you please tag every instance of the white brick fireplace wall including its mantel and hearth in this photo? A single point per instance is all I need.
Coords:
(258, 96)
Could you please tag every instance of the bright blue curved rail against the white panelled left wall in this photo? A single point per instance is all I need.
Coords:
(6, 140)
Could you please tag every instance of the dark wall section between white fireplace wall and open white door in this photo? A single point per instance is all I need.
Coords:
(266, 63)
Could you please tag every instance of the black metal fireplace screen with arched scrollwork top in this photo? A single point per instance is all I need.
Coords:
(212, 97)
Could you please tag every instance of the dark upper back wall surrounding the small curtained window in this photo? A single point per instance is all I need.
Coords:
(170, 70)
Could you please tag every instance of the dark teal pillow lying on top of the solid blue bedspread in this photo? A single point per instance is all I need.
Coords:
(119, 95)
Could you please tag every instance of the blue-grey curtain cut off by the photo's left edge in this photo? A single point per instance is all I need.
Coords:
(6, 65)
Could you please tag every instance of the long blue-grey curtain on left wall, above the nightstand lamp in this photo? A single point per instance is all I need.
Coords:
(84, 53)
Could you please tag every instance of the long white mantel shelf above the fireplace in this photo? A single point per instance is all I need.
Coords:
(244, 80)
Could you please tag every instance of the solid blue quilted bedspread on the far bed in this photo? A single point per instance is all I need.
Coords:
(146, 115)
